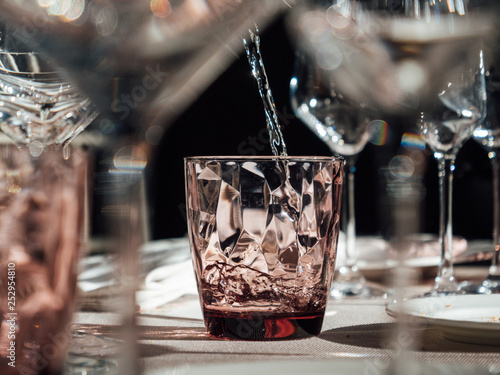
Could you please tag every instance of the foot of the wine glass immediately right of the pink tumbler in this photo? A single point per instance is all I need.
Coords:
(349, 283)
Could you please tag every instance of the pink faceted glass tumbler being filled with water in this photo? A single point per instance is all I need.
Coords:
(263, 234)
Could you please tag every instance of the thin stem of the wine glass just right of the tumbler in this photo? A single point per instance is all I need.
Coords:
(351, 253)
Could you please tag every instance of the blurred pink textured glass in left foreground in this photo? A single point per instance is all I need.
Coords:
(42, 222)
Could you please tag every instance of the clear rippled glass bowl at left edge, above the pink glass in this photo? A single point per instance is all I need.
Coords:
(37, 105)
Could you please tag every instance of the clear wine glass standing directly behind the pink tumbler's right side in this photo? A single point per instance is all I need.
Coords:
(345, 129)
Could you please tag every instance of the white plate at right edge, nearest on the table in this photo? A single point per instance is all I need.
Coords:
(465, 318)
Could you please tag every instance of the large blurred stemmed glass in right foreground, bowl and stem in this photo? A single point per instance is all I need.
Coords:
(395, 57)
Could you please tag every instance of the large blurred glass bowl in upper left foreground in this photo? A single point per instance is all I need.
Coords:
(141, 61)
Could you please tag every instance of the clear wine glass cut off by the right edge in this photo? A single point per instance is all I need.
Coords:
(488, 135)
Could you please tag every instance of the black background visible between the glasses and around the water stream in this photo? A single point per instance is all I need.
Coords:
(228, 119)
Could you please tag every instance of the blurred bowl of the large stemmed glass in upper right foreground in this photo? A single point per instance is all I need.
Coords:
(394, 56)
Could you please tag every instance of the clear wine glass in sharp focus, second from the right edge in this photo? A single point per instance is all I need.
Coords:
(450, 121)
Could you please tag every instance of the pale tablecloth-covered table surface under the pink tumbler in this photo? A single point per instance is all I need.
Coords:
(357, 337)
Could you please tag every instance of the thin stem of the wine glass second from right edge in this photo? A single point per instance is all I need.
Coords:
(446, 166)
